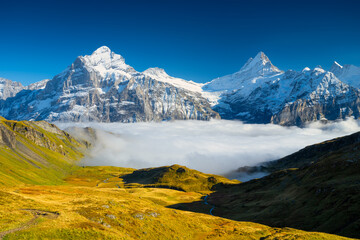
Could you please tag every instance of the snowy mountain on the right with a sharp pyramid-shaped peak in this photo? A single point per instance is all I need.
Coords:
(261, 93)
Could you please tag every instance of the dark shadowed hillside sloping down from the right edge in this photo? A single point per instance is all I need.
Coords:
(322, 195)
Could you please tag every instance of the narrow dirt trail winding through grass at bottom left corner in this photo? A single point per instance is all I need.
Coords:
(32, 222)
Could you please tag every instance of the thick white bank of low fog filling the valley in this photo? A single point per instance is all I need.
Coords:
(218, 146)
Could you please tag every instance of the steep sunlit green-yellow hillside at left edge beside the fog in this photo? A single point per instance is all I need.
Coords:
(36, 153)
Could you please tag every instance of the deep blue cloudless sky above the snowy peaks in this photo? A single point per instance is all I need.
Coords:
(196, 40)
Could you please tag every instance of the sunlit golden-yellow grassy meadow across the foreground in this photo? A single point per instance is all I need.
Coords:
(95, 203)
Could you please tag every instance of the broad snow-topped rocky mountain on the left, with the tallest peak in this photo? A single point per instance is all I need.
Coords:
(102, 87)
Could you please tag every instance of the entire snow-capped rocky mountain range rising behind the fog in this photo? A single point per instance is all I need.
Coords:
(102, 87)
